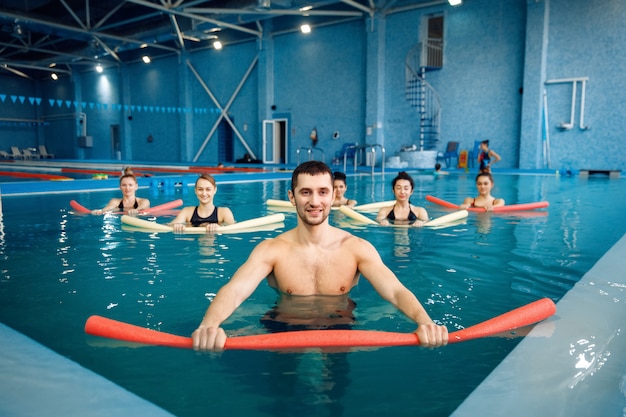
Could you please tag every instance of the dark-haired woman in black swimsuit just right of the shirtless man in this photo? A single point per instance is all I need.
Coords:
(402, 212)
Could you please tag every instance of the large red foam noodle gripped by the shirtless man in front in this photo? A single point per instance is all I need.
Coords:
(522, 316)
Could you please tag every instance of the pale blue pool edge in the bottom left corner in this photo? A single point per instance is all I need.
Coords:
(36, 381)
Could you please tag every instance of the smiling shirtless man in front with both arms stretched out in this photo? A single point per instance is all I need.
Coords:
(313, 259)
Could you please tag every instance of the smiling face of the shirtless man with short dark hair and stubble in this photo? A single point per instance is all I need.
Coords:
(313, 198)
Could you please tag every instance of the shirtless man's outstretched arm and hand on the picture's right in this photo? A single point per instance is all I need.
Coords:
(391, 289)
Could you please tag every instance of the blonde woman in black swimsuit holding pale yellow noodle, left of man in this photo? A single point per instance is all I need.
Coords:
(206, 214)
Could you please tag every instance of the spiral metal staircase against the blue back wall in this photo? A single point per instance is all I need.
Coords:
(420, 94)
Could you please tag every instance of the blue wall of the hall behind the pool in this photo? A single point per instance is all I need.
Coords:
(349, 78)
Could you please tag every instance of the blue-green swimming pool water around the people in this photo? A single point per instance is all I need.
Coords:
(58, 268)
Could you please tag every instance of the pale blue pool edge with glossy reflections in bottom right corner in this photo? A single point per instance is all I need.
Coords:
(579, 369)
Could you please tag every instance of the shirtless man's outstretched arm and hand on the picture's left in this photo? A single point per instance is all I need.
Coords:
(209, 335)
